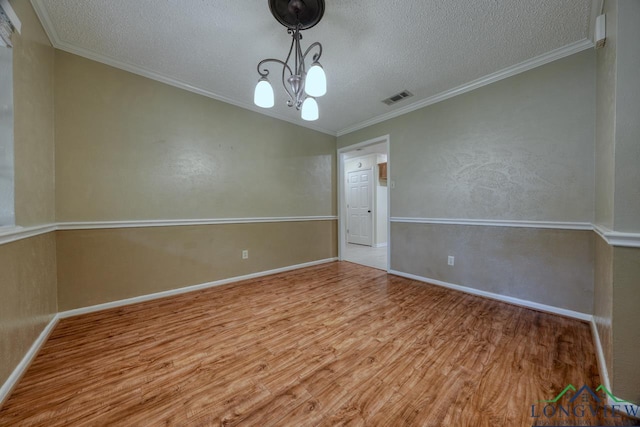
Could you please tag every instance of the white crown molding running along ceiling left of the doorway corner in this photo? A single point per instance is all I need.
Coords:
(60, 44)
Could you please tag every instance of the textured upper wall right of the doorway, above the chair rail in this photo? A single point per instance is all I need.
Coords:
(518, 149)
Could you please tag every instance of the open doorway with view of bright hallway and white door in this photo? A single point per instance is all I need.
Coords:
(364, 203)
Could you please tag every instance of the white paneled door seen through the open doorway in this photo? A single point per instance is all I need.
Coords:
(359, 202)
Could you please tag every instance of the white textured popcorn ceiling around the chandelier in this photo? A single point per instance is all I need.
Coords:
(373, 49)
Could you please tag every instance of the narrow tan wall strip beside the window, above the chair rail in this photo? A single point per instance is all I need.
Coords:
(33, 63)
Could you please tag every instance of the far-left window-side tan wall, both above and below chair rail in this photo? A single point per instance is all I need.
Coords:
(28, 267)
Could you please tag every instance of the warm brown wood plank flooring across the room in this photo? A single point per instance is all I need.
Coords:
(336, 344)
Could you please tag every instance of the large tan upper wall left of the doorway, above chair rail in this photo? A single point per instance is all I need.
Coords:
(128, 147)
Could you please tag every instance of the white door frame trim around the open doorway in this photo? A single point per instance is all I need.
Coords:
(342, 205)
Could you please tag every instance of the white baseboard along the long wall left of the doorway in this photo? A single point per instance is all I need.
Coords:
(179, 291)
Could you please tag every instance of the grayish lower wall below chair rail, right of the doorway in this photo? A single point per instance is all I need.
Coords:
(547, 266)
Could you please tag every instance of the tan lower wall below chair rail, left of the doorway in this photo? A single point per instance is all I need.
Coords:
(97, 266)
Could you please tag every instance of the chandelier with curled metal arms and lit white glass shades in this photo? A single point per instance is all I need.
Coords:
(302, 85)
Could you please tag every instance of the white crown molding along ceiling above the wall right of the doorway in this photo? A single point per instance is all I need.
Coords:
(527, 65)
